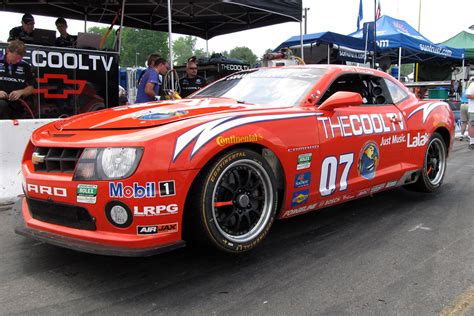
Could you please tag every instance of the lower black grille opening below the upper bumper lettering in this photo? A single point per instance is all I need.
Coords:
(61, 214)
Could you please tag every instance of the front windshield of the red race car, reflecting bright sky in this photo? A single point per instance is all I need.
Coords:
(266, 86)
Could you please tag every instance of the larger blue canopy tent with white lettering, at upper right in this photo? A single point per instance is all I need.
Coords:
(398, 40)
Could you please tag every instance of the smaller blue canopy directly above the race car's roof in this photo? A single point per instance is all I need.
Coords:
(348, 48)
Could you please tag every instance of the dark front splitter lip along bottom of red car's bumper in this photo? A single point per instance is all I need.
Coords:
(90, 247)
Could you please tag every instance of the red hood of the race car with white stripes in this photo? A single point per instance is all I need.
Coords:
(153, 114)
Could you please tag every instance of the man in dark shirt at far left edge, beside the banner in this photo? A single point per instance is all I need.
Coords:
(16, 80)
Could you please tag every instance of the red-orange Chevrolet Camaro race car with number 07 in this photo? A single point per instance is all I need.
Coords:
(220, 167)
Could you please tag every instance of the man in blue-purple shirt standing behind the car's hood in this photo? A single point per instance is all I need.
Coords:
(149, 85)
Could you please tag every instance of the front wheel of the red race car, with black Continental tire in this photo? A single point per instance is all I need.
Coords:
(237, 201)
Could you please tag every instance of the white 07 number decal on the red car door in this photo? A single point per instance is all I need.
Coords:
(329, 168)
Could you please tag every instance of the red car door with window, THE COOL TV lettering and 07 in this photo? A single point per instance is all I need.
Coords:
(360, 146)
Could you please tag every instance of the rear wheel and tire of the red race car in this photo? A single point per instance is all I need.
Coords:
(434, 166)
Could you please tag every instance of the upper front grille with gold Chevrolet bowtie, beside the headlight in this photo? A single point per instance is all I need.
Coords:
(56, 159)
